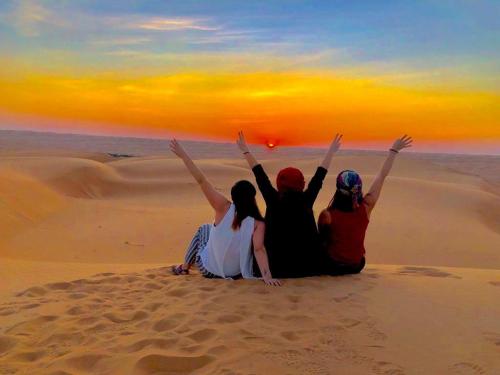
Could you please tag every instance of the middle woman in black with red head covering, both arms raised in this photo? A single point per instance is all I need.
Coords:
(291, 237)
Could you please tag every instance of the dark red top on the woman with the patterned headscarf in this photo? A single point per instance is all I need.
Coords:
(346, 235)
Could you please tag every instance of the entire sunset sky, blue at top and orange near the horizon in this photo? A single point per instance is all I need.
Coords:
(288, 72)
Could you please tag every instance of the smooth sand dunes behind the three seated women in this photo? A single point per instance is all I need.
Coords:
(145, 209)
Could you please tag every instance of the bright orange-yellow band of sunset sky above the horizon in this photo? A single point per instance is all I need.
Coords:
(289, 108)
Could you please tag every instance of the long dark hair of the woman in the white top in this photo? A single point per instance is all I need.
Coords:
(243, 196)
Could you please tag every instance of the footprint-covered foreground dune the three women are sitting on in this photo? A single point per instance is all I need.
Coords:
(389, 320)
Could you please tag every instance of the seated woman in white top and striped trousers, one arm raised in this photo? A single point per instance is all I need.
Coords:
(224, 249)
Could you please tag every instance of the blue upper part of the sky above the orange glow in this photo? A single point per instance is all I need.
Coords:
(456, 38)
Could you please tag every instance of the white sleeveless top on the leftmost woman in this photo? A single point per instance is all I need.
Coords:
(229, 252)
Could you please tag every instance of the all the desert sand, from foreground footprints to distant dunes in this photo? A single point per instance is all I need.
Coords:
(86, 240)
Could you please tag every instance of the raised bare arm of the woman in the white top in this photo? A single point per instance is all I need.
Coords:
(218, 201)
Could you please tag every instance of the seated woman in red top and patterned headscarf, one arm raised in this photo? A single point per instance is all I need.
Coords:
(342, 225)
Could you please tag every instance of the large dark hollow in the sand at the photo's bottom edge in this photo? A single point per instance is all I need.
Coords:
(162, 364)
